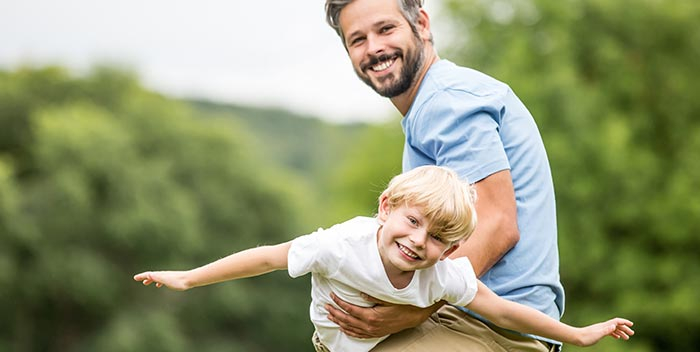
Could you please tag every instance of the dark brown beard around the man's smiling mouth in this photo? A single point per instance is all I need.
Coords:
(412, 62)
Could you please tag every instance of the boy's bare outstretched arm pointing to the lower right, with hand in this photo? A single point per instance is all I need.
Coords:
(518, 317)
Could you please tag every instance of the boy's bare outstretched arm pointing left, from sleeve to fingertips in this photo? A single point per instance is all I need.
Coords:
(247, 263)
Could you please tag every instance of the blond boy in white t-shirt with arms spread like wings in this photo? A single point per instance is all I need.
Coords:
(400, 257)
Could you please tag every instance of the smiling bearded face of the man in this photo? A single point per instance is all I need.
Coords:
(383, 49)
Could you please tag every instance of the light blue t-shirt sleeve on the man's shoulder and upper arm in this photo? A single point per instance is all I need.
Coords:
(462, 133)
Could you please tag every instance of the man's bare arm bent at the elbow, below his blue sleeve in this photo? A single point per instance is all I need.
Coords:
(497, 227)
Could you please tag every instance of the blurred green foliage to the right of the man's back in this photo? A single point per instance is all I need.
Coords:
(611, 85)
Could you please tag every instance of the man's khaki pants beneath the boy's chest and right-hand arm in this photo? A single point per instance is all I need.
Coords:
(450, 329)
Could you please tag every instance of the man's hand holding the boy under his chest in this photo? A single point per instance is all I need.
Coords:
(382, 319)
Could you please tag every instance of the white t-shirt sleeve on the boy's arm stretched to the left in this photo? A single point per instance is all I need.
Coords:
(319, 252)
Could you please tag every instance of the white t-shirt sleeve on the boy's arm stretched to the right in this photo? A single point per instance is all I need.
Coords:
(462, 283)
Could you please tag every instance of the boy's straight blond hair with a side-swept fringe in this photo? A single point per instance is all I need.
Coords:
(446, 200)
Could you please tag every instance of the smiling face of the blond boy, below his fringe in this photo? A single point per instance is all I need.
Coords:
(405, 242)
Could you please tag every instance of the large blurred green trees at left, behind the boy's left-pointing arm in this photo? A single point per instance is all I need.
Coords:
(100, 179)
